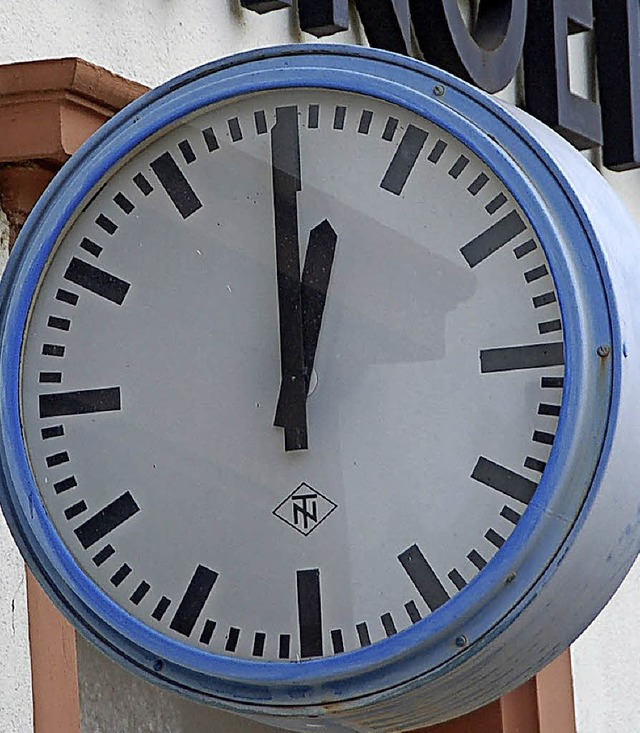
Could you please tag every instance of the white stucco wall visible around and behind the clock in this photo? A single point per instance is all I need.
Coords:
(150, 41)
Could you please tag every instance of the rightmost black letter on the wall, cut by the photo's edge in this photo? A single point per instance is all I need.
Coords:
(618, 61)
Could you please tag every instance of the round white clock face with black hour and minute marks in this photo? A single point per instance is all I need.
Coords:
(289, 242)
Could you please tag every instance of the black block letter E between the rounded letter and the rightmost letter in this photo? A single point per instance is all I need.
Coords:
(546, 70)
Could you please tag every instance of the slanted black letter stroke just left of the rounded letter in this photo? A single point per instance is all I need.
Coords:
(387, 24)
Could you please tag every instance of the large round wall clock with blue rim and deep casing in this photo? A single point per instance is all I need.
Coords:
(318, 372)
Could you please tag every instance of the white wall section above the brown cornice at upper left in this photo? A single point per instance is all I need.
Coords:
(146, 40)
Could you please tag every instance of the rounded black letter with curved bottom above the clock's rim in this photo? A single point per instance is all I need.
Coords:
(487, 54)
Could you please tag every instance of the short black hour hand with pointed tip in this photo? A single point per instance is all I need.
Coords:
(318, 262)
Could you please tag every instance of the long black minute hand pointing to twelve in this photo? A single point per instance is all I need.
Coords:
(285, 168)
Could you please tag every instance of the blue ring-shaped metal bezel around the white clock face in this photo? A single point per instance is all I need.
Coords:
(569, 483)
